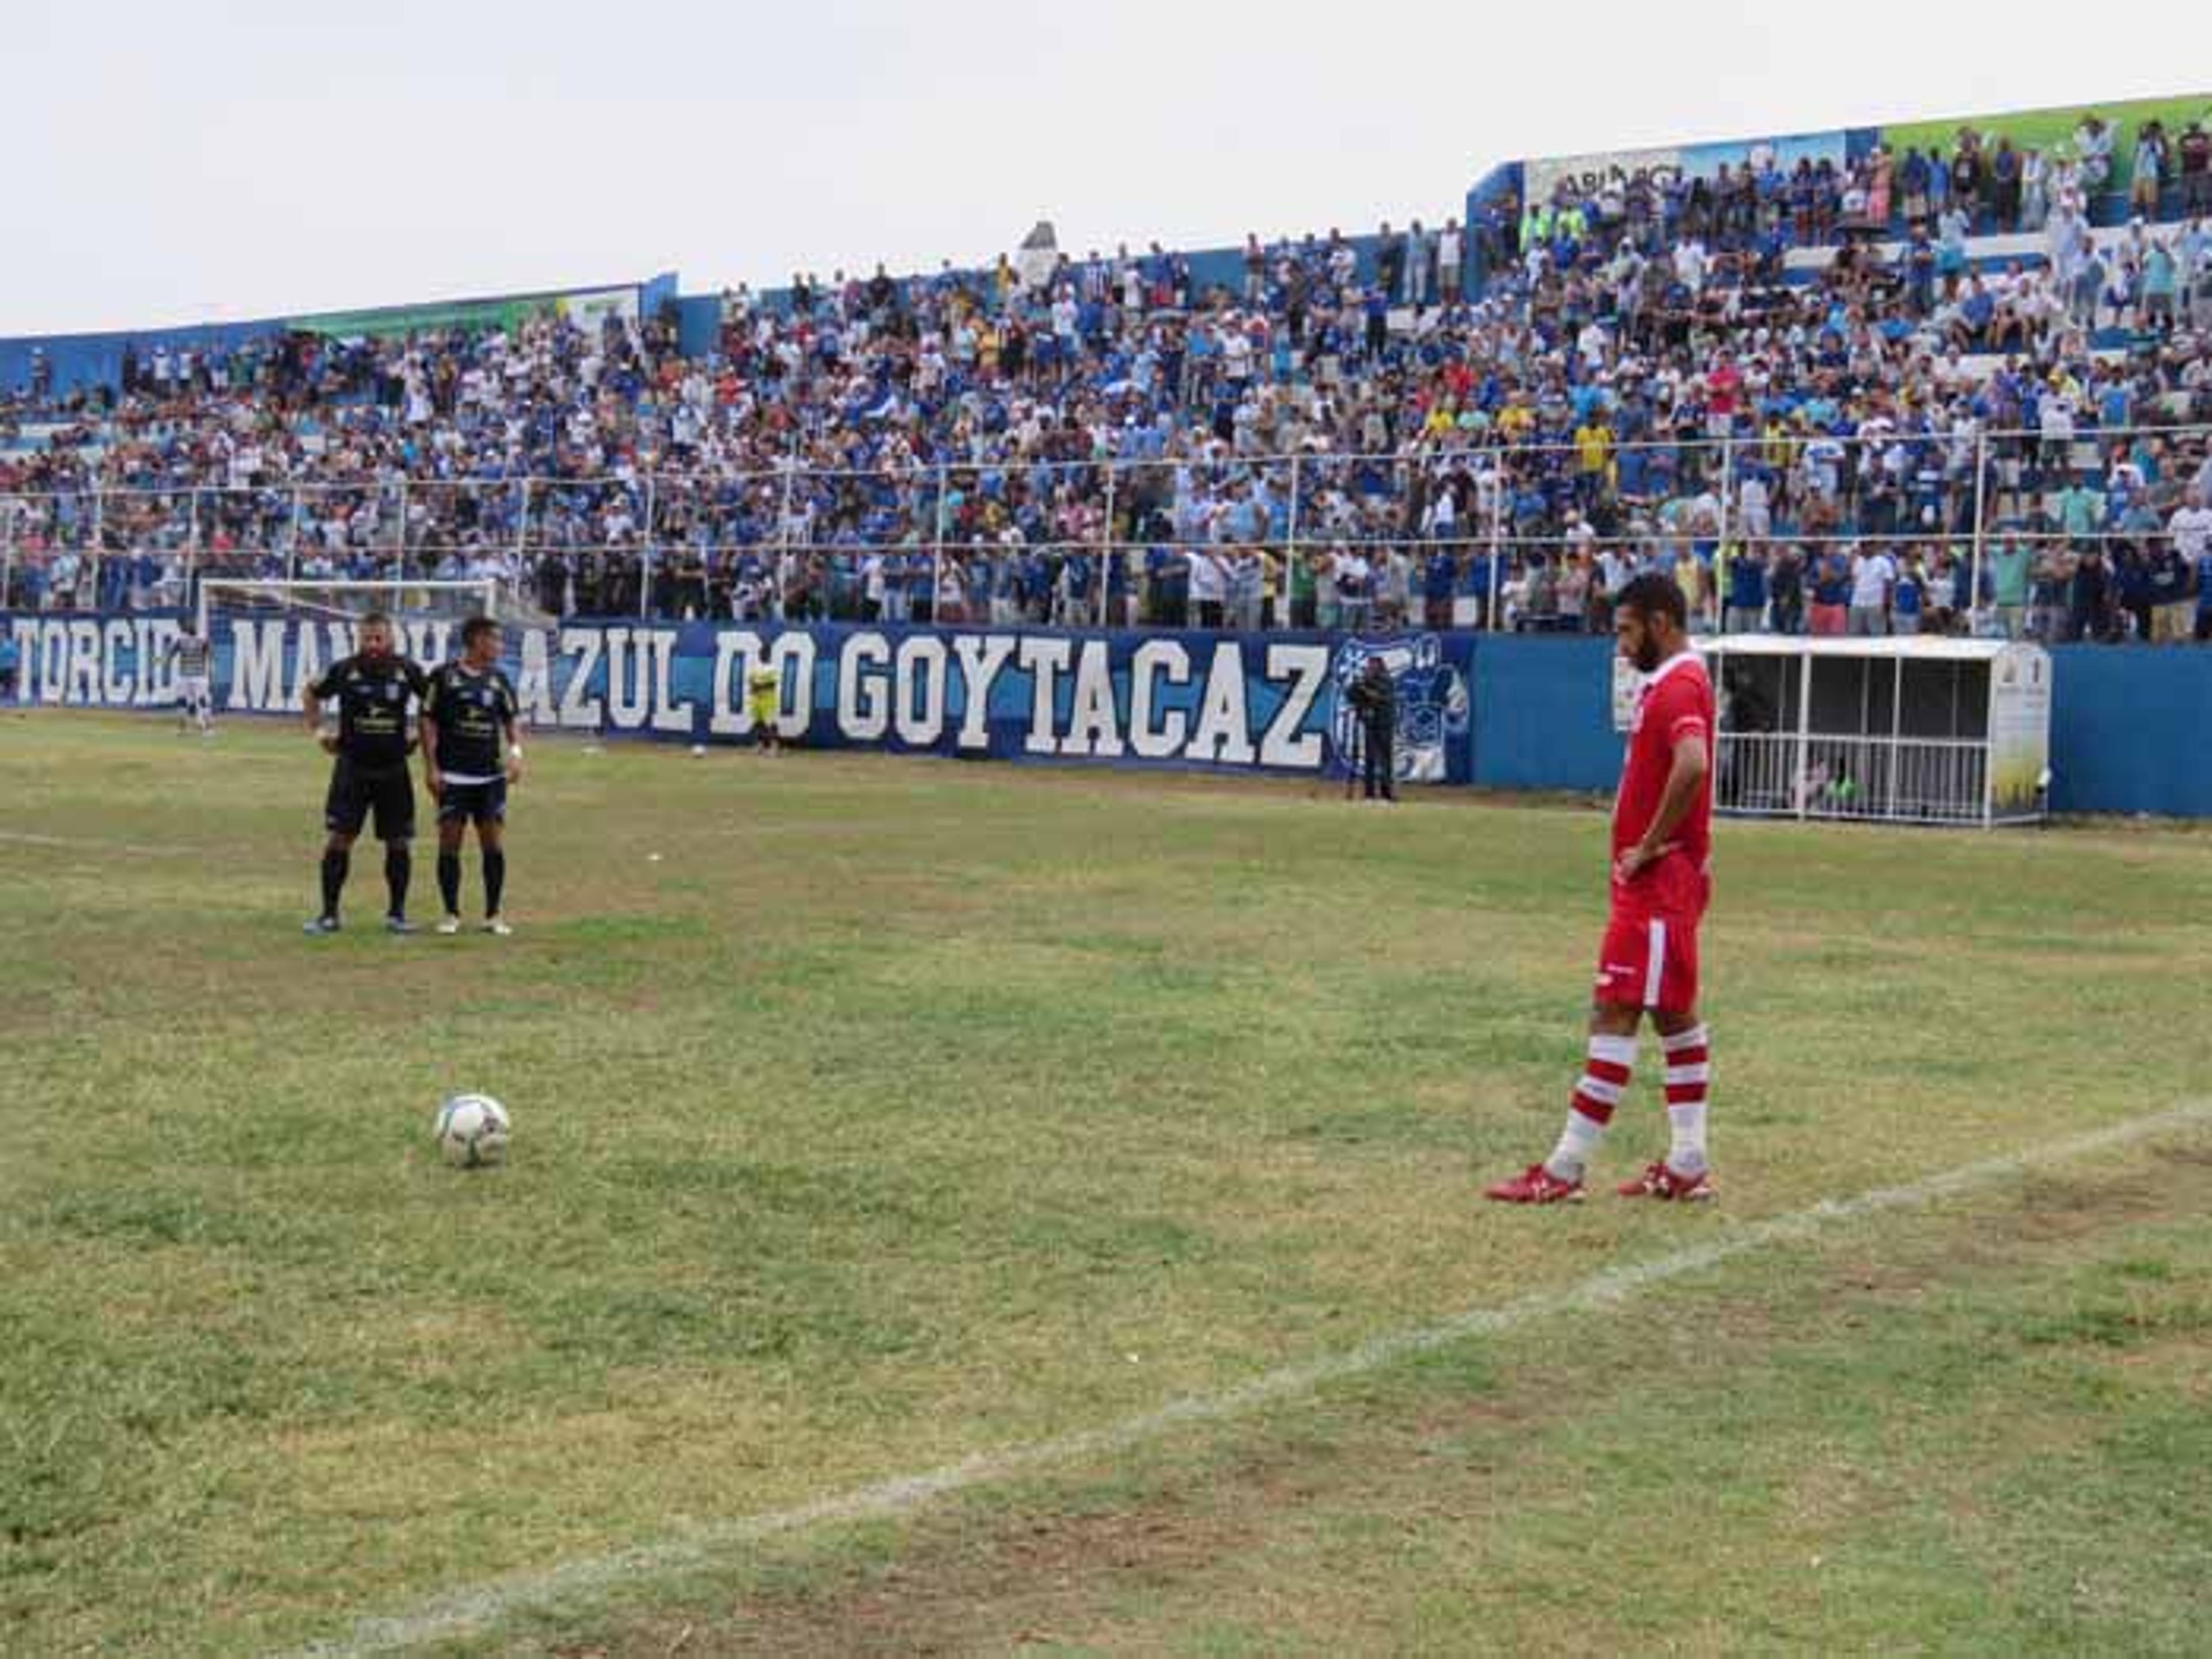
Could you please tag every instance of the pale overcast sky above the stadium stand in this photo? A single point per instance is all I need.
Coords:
(174, 163)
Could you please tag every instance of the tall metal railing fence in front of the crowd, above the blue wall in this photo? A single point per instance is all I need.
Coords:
(1463, 528)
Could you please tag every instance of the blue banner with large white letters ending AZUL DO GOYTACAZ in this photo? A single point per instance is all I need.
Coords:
(1127, 698)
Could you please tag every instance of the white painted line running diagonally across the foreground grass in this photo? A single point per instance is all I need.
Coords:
(486, 1605)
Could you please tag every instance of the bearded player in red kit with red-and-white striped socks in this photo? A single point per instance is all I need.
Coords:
(1662, 877)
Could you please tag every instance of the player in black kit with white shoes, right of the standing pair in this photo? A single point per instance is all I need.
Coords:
(470, 755)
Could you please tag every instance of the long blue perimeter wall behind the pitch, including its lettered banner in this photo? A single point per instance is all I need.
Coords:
(1501, 711)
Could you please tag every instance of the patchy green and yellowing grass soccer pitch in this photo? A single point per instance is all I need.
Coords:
(970, 1209)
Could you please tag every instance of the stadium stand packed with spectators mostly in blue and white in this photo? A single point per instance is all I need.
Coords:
(1970, 382)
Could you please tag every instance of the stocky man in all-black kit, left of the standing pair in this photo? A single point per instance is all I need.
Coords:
(371, 773)
